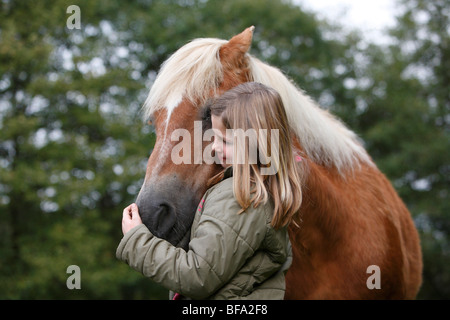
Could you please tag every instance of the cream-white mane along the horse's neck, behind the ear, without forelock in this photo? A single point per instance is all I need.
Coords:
(323, 137)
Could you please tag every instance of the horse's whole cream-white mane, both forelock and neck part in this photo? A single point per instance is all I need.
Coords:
(195, 71)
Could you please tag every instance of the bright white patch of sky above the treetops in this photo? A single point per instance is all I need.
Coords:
(369, 16)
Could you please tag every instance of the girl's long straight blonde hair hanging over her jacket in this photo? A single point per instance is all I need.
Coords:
(252, 105)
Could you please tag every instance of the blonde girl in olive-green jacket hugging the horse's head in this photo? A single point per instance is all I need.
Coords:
(239, 247)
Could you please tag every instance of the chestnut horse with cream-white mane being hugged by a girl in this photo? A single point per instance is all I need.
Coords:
(354, 237)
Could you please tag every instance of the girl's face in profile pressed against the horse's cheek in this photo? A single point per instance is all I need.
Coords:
(222, 145)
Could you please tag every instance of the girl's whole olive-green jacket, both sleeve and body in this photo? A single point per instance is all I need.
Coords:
(230, 256)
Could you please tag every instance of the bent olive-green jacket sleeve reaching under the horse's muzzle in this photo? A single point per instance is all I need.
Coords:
(221, 244)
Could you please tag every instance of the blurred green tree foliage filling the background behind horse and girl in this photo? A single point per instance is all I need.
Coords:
(73, 146)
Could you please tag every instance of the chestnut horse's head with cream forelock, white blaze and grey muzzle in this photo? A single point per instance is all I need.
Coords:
(197, 72)
